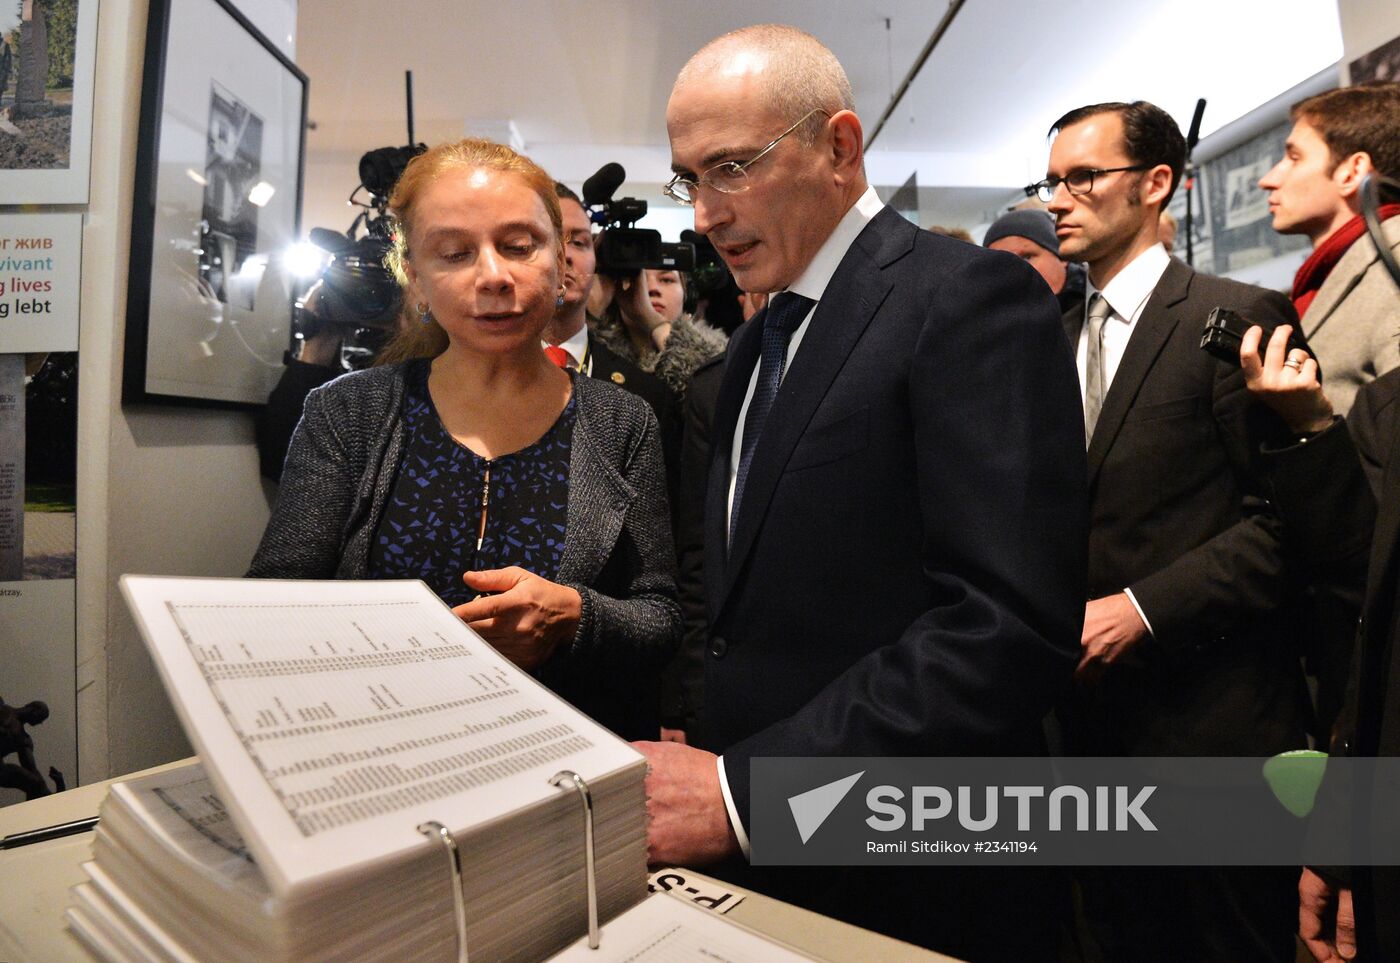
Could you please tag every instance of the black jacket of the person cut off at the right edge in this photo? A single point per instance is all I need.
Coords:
(1352, 540)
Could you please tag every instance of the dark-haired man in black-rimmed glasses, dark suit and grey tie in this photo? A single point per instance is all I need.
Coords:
(1189, 642)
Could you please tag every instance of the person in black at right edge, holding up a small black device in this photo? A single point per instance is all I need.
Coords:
(1331, 514)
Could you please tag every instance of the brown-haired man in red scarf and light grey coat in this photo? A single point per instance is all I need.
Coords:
(1350, 310)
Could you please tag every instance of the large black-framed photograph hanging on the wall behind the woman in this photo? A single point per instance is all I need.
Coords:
(218, 209)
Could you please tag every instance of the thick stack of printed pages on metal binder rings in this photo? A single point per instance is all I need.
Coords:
(335, 722)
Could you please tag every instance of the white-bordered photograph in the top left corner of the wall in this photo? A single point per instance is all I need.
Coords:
(47, 52)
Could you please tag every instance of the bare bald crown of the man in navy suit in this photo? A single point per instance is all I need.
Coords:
(796, 72)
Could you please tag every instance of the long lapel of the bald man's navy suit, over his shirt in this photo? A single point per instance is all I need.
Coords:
(850, 302)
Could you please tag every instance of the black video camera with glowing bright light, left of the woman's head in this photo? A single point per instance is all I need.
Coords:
(356, 292)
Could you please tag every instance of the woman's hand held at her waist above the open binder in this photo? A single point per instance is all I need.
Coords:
(526, 618)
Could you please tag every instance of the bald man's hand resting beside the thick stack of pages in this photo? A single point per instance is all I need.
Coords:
(689, 825)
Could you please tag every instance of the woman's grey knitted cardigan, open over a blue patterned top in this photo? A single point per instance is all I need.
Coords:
(618, 554)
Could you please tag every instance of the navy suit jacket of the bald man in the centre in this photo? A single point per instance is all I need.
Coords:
(906, 576)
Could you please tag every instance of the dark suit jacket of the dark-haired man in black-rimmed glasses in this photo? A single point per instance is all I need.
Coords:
(1179, 514)
